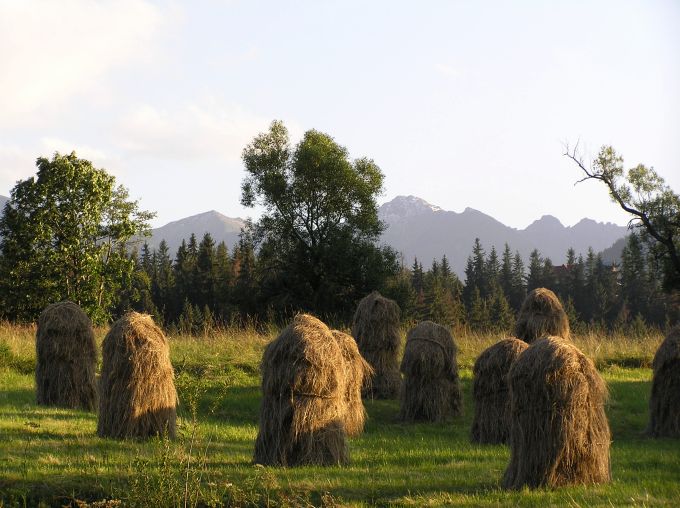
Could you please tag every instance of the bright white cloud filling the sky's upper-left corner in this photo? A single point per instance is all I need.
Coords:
(51, 51)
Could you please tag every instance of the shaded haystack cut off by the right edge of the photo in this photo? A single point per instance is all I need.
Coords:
(664, 404)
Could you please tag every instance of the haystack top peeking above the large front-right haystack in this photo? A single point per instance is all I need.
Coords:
(541, 315)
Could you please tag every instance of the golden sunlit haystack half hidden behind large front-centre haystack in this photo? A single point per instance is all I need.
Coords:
(357, 373)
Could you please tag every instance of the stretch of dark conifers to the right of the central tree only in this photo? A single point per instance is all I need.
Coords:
(628, 296)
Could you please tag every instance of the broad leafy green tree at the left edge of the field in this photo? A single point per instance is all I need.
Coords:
(64, 235)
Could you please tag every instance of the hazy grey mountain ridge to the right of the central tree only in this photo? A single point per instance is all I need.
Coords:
(419, 229)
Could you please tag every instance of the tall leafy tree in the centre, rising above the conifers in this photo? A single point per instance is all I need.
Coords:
(320, 223)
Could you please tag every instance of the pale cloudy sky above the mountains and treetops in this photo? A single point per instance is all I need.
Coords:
(461, 103)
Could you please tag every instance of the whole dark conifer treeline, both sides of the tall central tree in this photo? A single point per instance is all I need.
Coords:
(206, 285)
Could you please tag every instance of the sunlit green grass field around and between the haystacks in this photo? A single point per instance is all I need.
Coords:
(52, 457)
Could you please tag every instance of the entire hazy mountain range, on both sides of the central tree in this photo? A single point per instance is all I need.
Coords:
(416, 228)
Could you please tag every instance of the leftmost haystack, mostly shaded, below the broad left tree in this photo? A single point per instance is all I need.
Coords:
(66, 358)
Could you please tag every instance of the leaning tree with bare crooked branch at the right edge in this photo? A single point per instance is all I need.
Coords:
(654, 207)
